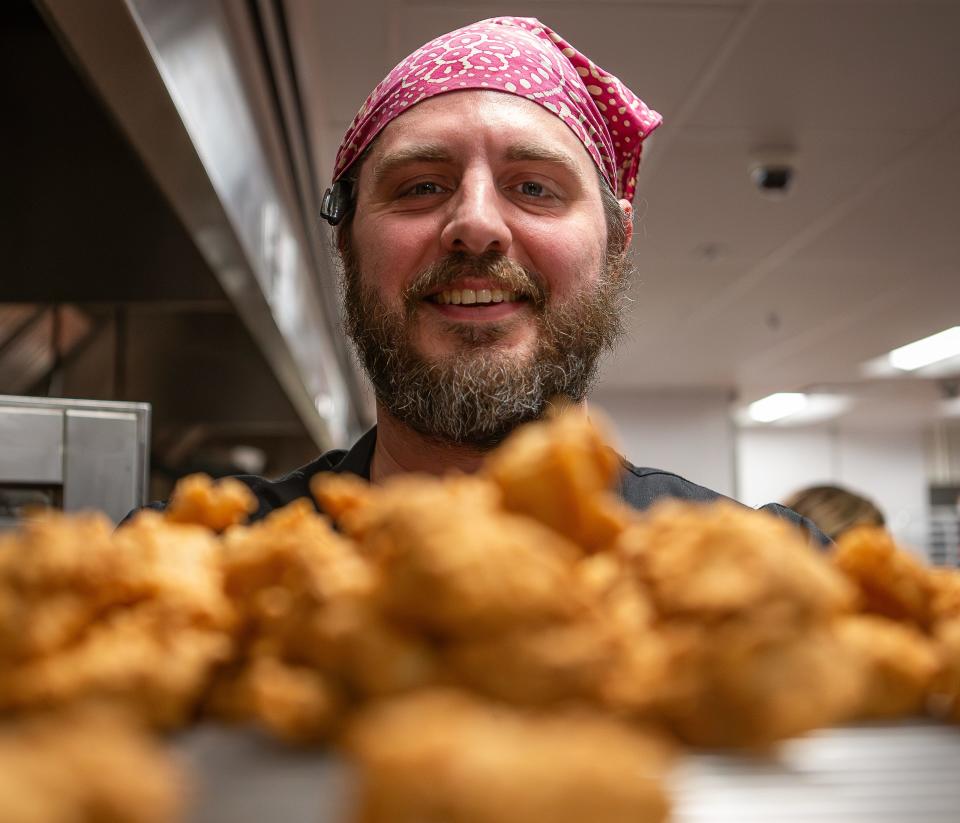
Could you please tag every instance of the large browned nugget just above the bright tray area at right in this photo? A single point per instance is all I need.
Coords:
(736, 685)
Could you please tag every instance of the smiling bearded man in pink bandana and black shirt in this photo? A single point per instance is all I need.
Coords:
(482, 199)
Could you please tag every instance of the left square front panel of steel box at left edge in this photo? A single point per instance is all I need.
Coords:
(31, 444)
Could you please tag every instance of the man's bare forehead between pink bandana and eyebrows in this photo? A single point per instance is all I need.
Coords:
(478, 120)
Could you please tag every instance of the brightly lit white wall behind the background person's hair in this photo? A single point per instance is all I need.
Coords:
(887, 466)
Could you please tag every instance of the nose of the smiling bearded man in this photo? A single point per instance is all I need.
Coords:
(476, 224)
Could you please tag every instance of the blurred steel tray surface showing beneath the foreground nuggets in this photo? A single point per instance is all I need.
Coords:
(883, 773)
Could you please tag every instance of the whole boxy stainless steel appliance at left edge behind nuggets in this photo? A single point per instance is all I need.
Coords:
(97, 451)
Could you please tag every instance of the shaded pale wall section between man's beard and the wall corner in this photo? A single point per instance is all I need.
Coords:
(686, 432)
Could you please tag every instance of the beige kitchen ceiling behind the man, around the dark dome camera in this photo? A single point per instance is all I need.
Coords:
(735, 290)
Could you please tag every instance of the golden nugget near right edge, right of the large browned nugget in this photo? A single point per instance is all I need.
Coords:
(901, 664)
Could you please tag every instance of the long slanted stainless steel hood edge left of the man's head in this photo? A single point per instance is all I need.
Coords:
(172, 75)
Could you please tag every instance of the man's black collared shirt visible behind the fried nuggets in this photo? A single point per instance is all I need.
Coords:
(638, 486)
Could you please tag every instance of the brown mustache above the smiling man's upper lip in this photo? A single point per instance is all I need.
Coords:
(500, 270)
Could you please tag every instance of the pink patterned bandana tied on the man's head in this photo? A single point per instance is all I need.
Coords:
(521, 56)
